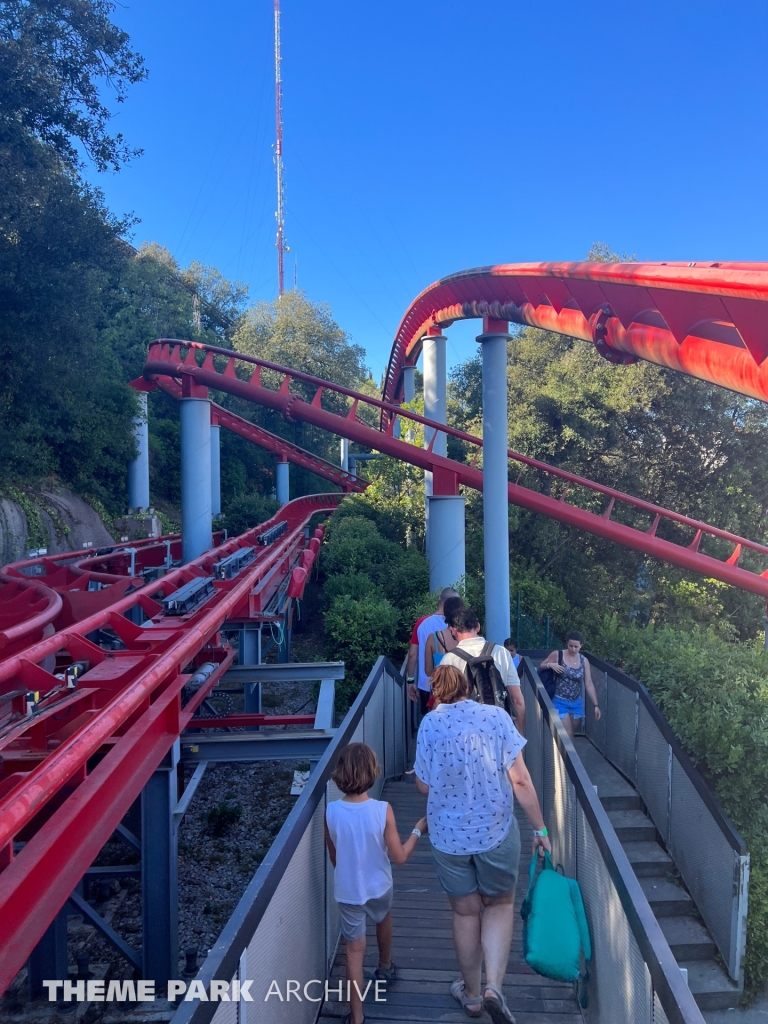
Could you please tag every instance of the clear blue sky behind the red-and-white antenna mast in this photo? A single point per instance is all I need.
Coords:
(425, 138)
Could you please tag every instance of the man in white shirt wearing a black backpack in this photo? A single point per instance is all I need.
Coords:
(491, 673)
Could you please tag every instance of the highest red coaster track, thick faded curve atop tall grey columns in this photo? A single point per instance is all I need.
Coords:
(704, 319)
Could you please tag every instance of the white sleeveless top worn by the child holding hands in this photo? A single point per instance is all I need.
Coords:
(363, 869)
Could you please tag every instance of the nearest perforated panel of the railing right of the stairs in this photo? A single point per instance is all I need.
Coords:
(693, 831)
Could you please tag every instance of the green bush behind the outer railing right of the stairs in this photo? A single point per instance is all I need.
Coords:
(715, 696)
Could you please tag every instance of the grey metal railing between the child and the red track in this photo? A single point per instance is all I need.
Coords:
(286, 926)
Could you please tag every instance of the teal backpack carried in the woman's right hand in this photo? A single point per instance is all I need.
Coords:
(557, 929)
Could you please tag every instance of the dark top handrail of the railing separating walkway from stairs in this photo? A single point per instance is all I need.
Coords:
(675, 997)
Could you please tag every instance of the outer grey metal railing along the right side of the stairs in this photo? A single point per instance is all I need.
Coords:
(710, 855)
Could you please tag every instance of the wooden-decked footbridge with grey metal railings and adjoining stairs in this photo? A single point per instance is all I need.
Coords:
(655, 942)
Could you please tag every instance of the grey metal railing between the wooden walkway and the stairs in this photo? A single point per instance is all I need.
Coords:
(634, 976)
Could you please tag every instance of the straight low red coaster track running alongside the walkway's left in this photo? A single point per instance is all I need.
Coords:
(126, 708)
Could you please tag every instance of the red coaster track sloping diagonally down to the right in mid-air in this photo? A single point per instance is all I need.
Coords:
(179, 359)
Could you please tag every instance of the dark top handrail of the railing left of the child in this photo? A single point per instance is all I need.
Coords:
(224, 960)
